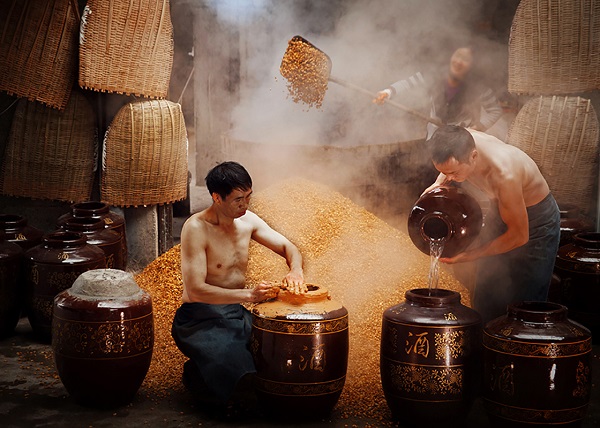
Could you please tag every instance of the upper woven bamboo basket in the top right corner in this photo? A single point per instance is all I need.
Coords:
(554, 47)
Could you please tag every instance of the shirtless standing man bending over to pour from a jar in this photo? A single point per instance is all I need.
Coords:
(516, 263)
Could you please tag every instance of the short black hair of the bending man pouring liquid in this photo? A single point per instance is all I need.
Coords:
(451, 141)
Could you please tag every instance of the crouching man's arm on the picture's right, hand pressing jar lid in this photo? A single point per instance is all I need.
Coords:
(276, 242)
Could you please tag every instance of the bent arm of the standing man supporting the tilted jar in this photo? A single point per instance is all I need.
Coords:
(513, 212)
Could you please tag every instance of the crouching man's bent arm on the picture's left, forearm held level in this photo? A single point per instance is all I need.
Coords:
(194, 272)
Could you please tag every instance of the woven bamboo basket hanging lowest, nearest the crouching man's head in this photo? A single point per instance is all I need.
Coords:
(145, 155)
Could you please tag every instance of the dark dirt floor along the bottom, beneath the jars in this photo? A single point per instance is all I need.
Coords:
(32, 395)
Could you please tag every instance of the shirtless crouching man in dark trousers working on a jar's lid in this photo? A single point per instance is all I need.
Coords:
(211, 327)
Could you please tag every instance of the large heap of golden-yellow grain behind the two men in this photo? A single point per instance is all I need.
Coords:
(366, 265)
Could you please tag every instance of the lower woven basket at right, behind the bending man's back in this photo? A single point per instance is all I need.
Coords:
(561, 135)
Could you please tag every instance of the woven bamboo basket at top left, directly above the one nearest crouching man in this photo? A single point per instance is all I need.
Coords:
(126, 47)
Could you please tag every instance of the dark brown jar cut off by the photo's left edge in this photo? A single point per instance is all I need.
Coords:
(11, 286)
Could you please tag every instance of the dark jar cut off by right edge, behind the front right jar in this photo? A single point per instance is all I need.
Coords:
(577, 267)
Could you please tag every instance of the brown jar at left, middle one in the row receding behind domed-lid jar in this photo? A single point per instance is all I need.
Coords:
(96, 234)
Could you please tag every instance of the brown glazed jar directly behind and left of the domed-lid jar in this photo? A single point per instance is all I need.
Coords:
(52, 267)
